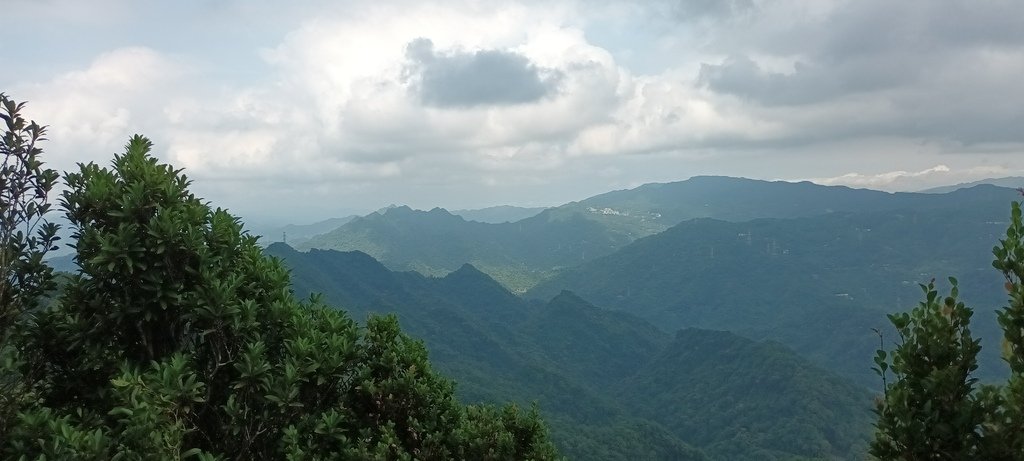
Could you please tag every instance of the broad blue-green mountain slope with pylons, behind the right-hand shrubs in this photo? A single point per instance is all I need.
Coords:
(818, 284)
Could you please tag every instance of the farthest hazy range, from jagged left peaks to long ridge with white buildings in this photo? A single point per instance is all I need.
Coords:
(524, 254)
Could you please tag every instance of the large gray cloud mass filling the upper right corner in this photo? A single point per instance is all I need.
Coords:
(916, 69)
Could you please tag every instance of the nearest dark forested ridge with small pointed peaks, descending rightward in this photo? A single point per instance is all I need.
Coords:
(594, 372)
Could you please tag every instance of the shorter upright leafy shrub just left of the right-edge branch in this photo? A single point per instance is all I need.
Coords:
(930, 411)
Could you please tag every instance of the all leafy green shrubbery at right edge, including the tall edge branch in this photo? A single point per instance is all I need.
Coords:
(933, 410)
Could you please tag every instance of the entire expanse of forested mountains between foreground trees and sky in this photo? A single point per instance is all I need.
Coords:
(718, 318)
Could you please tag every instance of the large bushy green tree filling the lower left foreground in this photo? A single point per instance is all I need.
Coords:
(180, 339)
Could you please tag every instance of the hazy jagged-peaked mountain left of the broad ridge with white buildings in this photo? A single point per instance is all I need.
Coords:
(437, 242)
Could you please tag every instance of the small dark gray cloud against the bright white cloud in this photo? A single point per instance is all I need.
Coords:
(482, 78)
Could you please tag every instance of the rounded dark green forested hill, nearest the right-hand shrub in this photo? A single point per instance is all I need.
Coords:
(742, 400)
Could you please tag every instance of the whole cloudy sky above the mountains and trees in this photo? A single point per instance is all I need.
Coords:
(296, 112)
